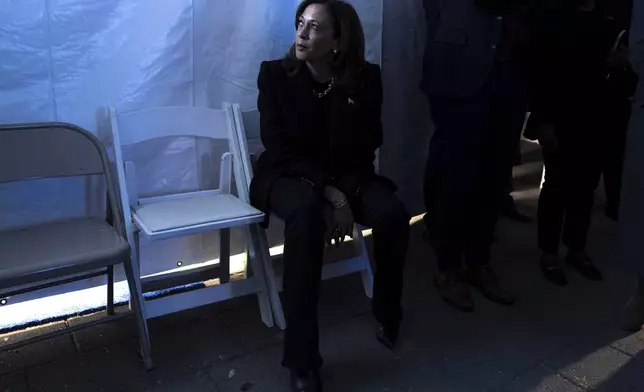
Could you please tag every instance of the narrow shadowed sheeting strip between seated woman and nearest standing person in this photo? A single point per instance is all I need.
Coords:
(407, 122)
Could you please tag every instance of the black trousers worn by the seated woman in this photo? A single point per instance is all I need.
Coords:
(295, 201)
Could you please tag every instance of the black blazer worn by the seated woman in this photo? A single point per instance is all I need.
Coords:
(287, 109)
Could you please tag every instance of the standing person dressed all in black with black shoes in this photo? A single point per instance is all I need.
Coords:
(571, 108)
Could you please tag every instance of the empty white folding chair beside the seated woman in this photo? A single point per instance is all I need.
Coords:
(177, 215)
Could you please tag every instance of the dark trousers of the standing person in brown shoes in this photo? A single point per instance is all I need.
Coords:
(469, 165)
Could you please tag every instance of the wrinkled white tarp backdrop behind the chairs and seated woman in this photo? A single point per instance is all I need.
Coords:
(66, 60)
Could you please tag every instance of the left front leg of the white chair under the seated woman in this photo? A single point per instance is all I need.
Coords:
(260, 243)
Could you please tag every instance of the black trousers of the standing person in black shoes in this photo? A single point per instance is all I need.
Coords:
(573, 171)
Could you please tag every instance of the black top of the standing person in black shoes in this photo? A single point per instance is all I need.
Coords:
(568, 67)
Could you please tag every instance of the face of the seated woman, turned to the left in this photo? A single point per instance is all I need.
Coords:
(315, 36)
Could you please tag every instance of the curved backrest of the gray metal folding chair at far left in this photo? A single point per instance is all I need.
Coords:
(50, 150)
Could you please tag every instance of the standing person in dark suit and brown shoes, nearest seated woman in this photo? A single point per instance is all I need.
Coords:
(472, 78)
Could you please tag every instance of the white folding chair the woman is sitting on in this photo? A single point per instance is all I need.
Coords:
(247, 123)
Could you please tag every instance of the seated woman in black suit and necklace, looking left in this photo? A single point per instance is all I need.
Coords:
(320, 113)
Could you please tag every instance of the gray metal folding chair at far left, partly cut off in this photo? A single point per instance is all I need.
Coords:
(37, 257)
